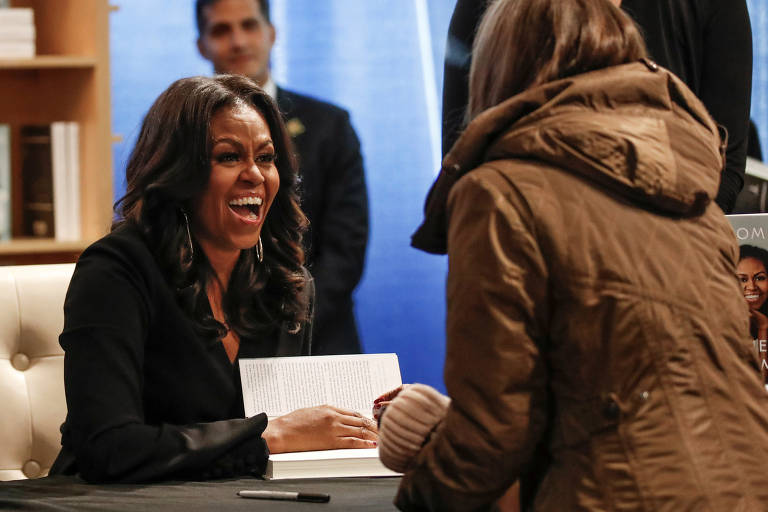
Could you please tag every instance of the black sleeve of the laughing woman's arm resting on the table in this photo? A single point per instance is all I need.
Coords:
(107, 317)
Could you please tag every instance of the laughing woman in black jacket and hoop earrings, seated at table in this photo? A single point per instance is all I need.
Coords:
(204, 266)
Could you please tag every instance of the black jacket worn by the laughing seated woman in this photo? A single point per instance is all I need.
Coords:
(147, 397)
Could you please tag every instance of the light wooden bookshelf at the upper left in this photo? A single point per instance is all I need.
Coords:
(68, 80)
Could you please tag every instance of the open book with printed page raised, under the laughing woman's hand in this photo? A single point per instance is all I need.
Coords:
(279, 385)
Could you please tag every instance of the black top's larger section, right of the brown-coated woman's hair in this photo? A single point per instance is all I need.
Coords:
(707, 43)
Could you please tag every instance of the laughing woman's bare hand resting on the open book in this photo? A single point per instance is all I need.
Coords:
(320, 428)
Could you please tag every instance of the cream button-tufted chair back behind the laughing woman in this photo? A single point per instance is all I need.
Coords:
(31, 368)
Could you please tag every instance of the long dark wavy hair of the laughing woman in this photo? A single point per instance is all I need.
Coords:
(169, 168)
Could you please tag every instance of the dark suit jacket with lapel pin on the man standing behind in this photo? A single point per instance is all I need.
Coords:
(335, 199)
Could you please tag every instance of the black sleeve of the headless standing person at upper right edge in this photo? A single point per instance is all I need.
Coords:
(726, 87)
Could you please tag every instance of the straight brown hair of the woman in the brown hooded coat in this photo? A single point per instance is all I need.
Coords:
(524, 43)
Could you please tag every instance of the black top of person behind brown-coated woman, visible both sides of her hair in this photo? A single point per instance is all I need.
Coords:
(707, 43)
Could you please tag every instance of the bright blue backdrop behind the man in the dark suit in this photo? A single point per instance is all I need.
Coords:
(380, 60)
